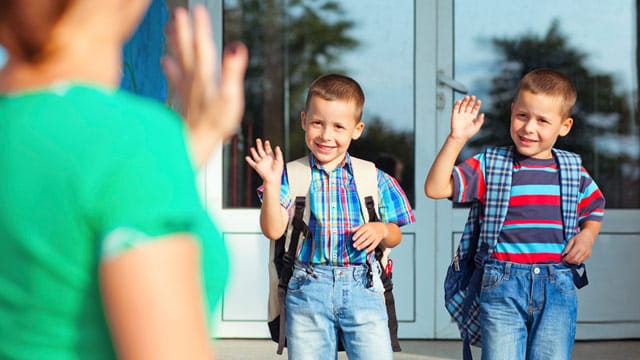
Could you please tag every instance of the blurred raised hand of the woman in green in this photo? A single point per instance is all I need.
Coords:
(211, 97)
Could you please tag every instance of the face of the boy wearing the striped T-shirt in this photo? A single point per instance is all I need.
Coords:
(536, 122)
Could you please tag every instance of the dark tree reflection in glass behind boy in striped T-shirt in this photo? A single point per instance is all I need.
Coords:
(600, 112)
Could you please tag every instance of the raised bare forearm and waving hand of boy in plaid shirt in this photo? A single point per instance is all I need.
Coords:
(269, 164)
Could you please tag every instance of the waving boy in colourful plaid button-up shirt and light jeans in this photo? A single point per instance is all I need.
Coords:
(330, 295)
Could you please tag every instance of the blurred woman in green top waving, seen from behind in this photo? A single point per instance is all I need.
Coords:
(105, 248)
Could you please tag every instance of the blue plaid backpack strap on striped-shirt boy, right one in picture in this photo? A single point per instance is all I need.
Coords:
(569, 165)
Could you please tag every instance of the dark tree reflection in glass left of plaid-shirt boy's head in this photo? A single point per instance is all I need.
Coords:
(290, 43)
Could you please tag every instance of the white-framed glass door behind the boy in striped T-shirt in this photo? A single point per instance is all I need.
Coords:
(488, 48)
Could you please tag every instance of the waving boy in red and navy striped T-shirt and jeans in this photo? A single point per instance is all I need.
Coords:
(528, 301)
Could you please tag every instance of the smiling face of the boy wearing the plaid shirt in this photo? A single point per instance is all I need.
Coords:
(329, 127)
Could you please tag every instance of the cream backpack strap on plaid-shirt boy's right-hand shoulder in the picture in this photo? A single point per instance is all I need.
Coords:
(365, 176)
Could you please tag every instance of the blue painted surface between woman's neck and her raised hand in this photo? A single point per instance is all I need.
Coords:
(141, 70)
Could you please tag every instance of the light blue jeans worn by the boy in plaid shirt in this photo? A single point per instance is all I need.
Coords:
(328, 302)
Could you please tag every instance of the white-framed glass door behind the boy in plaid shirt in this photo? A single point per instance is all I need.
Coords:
(290, 44)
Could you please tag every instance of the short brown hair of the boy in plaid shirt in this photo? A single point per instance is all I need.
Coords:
(337, 87)
